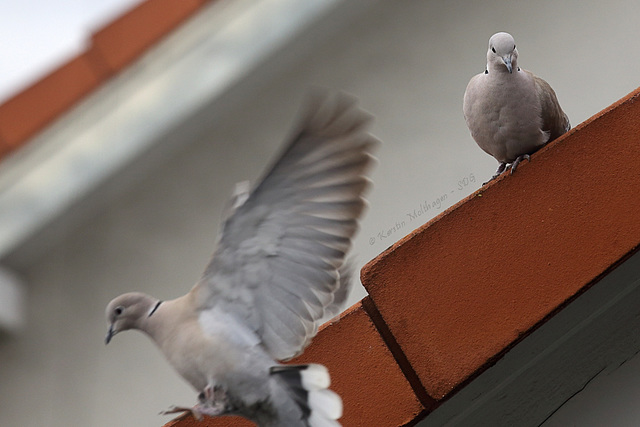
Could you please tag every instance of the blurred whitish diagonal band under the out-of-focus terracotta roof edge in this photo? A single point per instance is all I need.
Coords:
(197, 63)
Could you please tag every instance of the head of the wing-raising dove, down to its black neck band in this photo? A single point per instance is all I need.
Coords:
(129, 311)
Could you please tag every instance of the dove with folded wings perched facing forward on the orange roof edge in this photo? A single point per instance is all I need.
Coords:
(510, 112)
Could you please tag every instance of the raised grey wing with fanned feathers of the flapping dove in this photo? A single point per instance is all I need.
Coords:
(276, 267)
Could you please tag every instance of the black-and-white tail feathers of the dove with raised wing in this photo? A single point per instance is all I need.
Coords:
(308, 386)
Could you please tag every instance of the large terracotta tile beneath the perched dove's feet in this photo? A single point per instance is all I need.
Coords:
(488, 271)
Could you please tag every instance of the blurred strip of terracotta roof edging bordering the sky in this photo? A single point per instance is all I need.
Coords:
(113, 47)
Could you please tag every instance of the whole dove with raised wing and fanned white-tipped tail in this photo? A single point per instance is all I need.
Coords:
(278, 268)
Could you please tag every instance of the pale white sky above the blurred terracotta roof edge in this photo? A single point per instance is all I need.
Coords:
(38, 35)
